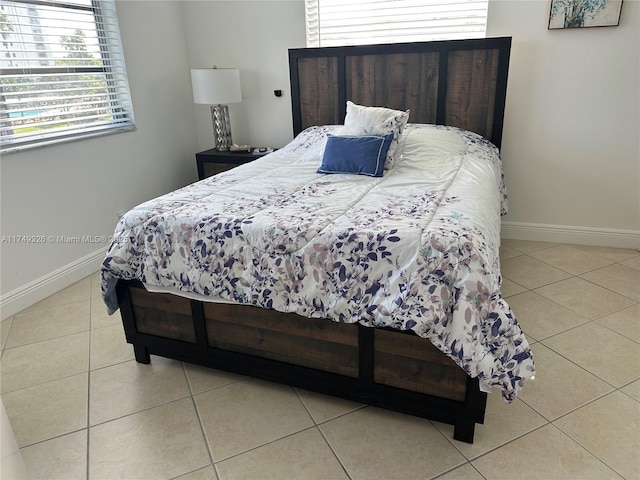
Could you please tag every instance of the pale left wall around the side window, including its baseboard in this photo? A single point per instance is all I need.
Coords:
(77, 188)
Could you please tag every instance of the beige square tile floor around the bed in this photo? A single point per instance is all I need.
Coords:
(81, 407)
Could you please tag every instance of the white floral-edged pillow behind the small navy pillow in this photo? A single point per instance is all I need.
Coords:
(361, 120)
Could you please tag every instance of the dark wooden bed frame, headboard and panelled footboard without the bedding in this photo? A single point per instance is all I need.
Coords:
(461, 83)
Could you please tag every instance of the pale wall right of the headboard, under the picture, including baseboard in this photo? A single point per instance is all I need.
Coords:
(570, 148)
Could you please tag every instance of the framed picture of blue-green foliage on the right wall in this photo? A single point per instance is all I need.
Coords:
(584, 13)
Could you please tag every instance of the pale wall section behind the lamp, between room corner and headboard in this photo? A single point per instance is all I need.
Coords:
(253, 36)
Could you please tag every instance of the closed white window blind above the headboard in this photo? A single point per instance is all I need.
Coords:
(357, 22)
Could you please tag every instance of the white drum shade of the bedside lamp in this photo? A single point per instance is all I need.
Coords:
(214, 86)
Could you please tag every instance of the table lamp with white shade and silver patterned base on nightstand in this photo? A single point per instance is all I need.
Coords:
(217, 87)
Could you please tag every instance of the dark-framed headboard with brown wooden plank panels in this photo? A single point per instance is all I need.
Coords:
(459, 82)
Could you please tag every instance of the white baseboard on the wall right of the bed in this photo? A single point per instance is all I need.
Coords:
(603, 237)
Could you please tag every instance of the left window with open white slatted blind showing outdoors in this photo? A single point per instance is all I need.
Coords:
(62, 72)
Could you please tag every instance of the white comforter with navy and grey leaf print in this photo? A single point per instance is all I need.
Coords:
(416, 249)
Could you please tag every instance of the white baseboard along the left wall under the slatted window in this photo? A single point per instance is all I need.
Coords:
(39, 289)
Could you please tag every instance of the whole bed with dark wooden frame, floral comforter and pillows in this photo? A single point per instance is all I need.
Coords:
(382, 287)
